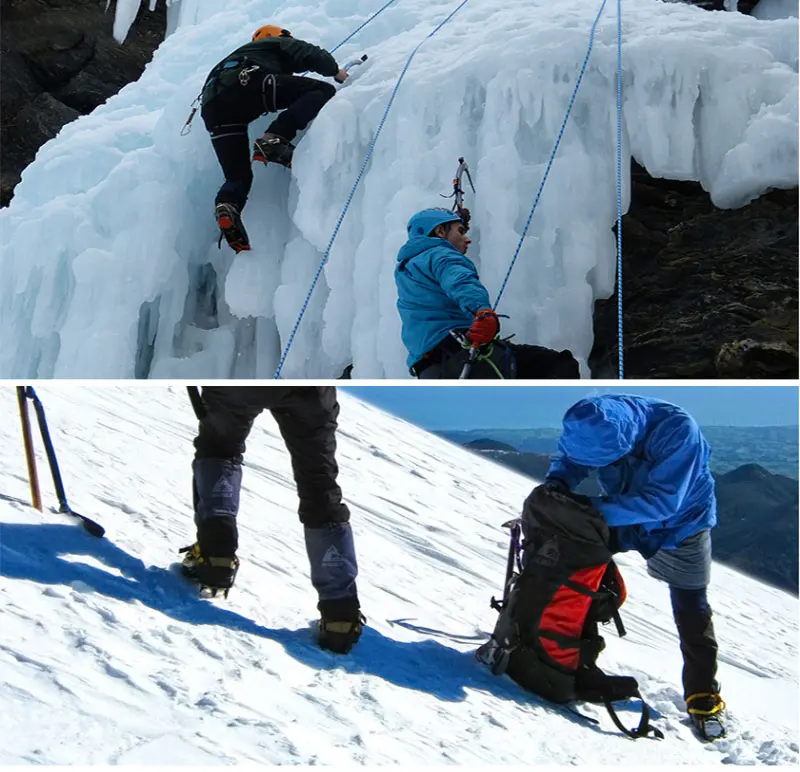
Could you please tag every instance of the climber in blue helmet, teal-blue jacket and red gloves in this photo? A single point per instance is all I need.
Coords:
(439, 293)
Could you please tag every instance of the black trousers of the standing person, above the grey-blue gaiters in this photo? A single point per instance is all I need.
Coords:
(307, 419)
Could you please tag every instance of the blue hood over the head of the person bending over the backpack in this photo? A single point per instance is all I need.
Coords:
(598, 431)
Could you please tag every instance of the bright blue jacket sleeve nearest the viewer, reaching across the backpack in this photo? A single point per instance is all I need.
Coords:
(677, 448)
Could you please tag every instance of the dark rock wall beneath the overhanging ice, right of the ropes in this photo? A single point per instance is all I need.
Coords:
(707, 292)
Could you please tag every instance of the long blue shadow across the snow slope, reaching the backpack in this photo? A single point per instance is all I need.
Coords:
(37, 553)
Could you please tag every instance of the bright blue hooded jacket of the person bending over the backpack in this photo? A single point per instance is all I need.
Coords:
(652, 463)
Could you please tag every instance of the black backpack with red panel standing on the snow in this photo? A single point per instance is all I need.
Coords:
(561, 582)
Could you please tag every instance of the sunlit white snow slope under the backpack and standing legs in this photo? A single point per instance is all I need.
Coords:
(107, 656)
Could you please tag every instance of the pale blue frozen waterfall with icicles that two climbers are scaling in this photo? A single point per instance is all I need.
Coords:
(109, 253)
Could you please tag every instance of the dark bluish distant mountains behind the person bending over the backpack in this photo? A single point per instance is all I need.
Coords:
(757, 527)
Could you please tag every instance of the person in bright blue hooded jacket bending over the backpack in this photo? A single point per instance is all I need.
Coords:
(652, 463)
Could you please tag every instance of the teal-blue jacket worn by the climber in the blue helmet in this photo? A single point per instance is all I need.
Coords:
(438, 290)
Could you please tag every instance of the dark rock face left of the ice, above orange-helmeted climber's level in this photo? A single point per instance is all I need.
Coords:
(59, 61)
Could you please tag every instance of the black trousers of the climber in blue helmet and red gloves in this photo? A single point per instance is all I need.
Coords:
(513, 360)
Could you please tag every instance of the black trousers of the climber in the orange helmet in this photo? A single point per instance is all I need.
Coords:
(228, 115)
